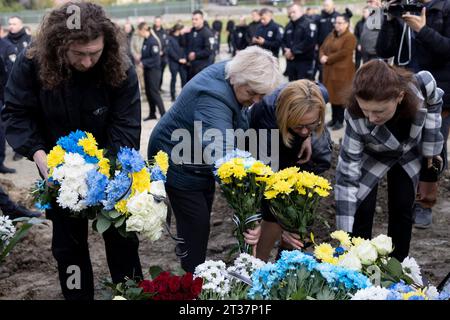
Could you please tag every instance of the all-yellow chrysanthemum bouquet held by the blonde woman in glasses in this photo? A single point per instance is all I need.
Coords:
(293, 197)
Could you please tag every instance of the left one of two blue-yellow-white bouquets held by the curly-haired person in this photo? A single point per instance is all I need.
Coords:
(78, 175)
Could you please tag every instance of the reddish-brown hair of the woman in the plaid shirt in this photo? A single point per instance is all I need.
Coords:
(378, 81)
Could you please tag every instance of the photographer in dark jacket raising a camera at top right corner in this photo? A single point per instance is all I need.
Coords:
(417, 35)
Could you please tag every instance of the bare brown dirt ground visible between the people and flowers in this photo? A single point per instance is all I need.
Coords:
(30, 270)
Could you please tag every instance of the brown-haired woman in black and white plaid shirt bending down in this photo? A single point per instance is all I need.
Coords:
(392, 127)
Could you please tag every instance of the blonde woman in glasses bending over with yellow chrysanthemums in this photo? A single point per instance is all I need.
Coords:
(297, 110)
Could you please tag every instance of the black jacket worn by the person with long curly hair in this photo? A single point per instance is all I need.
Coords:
(35, 118)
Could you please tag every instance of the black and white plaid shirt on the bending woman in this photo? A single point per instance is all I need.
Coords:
(368, 151)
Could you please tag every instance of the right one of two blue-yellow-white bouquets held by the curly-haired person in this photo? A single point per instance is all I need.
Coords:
(136, 197)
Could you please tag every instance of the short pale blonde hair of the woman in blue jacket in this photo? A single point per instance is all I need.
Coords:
(255, 67)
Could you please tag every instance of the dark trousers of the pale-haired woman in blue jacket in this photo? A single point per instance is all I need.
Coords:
(192, 211)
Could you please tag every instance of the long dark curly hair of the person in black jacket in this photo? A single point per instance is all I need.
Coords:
(54, 38)
